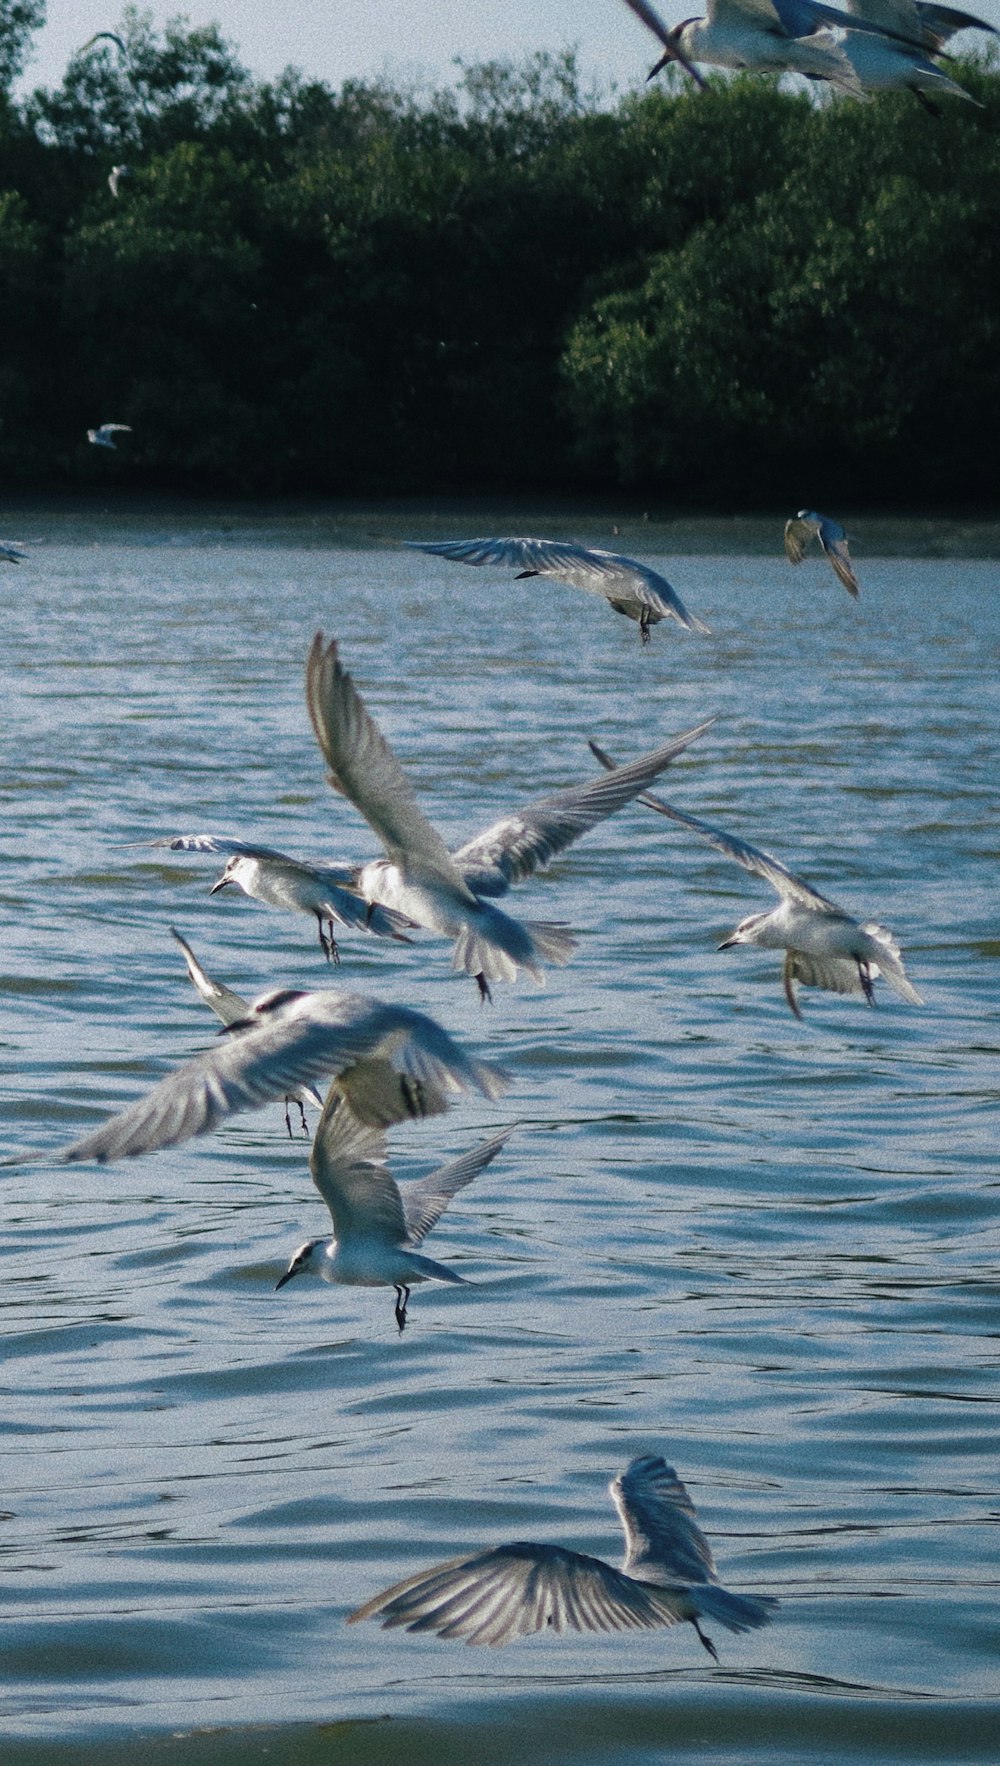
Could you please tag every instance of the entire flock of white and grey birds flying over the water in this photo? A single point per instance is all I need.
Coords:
(386, 1064)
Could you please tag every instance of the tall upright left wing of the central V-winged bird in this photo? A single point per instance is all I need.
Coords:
(363, 766)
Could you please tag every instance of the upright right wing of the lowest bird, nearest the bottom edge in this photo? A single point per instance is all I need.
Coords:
(658, 1518)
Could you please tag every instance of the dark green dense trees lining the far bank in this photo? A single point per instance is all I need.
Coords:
(504, 285)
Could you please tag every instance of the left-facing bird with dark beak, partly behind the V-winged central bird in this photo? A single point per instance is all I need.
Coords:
(282, 882)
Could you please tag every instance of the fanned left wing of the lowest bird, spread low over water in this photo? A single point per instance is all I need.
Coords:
(517, 1590)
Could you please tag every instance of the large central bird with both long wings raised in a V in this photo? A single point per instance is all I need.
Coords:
(450, 893)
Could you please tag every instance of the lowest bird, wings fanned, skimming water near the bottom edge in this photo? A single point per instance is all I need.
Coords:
(669, 1576)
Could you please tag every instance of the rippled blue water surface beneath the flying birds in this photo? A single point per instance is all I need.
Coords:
(764, 1249)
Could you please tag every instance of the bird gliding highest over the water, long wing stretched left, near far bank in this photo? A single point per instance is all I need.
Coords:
(632, 589)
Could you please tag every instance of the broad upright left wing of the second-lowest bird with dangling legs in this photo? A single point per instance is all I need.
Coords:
(349, 1165)
